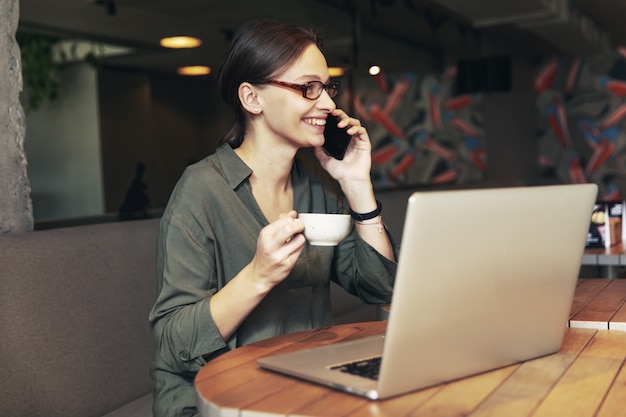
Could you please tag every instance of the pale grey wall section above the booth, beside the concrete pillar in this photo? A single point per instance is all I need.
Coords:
(63, 149)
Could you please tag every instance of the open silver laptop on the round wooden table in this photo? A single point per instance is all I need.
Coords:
(485, 278)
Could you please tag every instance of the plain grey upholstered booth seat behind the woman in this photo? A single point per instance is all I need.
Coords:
(75, 339)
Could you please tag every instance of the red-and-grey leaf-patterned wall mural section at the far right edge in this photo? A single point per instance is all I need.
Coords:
(582, 119)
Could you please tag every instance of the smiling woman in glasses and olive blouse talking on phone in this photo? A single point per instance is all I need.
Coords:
(233, 264)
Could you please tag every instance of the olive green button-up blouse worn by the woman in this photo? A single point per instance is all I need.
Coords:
(208, 234)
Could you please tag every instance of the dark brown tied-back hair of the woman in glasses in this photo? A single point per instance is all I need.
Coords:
(259, 50)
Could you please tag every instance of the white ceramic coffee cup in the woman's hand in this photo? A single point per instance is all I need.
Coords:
(323, 229)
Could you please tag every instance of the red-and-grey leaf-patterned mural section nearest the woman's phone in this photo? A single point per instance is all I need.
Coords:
(421, 132)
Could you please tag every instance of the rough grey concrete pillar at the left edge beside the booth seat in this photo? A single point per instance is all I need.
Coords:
(16, 211)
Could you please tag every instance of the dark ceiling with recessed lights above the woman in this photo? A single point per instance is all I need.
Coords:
(400, 33)
